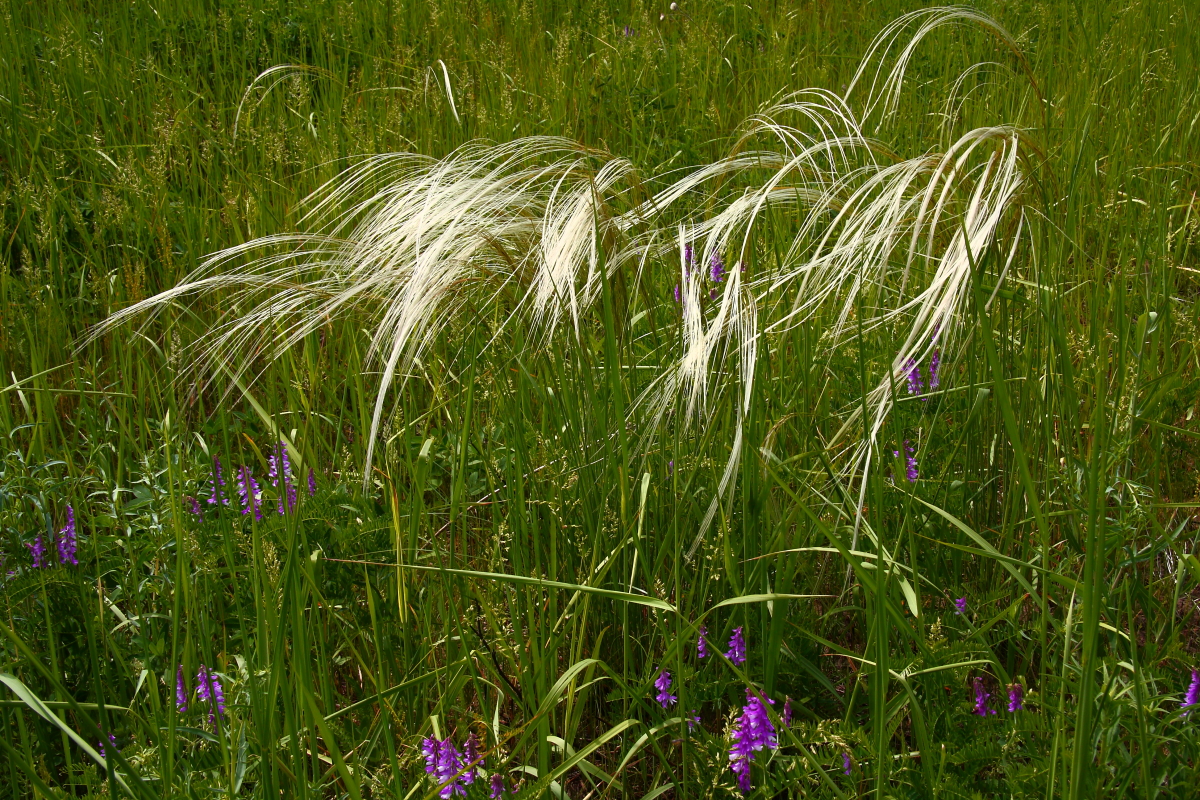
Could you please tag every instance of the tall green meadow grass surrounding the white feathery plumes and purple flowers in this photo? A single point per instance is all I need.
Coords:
(531, 543)
